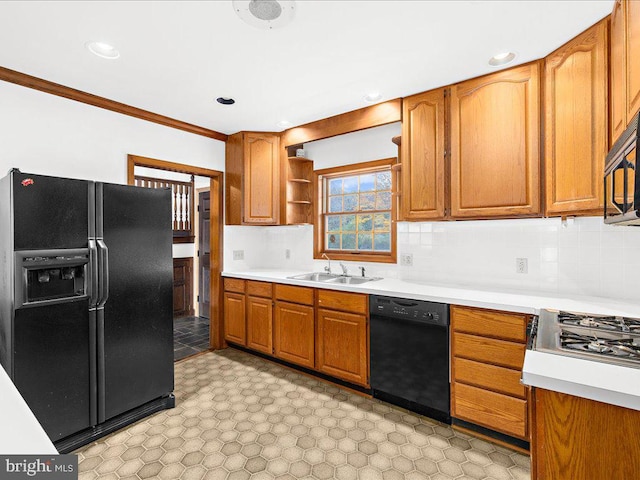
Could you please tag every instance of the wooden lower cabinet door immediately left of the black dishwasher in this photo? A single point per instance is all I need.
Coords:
(341, 346)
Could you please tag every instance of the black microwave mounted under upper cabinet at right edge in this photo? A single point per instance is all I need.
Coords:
(621, 180)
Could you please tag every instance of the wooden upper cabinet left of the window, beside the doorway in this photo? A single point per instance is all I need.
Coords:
(252, 183)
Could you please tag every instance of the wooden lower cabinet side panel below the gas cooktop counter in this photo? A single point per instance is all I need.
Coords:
(579, 439)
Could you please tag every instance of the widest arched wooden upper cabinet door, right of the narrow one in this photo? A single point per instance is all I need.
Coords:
(495, 144)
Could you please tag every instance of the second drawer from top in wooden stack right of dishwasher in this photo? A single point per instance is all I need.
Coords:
(489, 350)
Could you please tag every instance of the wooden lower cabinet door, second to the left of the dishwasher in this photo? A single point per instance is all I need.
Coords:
(294, 333)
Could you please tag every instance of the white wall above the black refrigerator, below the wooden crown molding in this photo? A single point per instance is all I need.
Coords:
(50, 135)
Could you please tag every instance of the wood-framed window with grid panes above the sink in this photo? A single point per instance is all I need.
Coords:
(356, 214)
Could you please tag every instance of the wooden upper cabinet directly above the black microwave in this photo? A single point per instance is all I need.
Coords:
(625, 65)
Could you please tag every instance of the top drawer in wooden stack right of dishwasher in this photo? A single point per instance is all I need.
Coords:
(508, 326)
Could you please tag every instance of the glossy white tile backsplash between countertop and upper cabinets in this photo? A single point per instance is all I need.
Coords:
(578, 256)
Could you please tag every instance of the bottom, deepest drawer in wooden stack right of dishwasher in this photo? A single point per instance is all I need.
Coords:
(489, 409)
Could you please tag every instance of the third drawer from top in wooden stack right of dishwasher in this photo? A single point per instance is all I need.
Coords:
(499, 379)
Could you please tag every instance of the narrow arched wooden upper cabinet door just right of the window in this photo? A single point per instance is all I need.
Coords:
(423, 156)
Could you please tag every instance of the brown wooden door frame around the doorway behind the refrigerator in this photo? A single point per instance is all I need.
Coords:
(216, 187)
